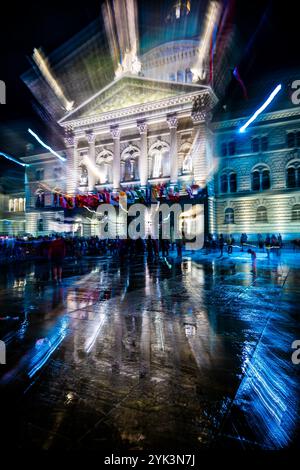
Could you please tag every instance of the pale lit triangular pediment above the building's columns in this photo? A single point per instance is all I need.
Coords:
(127, 92)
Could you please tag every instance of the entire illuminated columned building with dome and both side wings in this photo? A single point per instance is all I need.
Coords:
(150, 130)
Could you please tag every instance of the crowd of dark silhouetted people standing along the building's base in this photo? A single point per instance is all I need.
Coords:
(45, 247)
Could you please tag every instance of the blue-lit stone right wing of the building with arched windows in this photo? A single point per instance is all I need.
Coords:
(258, 179)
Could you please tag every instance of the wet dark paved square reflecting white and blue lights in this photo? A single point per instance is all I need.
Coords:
(192, 353)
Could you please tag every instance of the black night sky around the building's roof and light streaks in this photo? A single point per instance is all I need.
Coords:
(269, 28)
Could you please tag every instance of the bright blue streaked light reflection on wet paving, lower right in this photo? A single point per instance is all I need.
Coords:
(268, 393)
